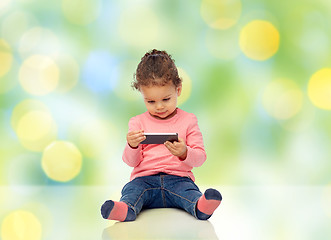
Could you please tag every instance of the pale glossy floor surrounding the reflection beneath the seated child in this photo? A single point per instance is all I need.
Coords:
(251, 212)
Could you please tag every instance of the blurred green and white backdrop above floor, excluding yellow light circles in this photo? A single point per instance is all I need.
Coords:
(245, 144)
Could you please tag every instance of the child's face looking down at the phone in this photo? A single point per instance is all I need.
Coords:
(161, 101)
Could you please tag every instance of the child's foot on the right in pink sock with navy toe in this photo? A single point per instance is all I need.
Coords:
(207, 203)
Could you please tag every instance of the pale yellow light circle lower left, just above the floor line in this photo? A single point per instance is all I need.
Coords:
(62, 161)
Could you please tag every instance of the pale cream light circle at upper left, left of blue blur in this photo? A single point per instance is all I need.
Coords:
(39, 75)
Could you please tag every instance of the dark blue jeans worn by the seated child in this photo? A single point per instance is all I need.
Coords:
(161, 191)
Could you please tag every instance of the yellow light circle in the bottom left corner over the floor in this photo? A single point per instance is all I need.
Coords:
(21, 225)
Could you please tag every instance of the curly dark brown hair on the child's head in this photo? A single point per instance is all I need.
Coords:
(156, 68)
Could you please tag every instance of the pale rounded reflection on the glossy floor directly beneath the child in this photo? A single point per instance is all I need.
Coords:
(162, 224)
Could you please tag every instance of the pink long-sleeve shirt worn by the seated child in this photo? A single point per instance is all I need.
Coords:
(149, 159)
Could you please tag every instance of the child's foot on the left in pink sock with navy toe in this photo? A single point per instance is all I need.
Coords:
(117, 211)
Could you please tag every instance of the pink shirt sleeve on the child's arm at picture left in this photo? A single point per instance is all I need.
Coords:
(132, 156)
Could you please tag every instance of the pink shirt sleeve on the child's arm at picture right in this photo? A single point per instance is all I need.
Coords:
(196, 154)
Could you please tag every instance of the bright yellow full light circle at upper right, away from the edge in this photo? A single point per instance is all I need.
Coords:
(259, 40)
